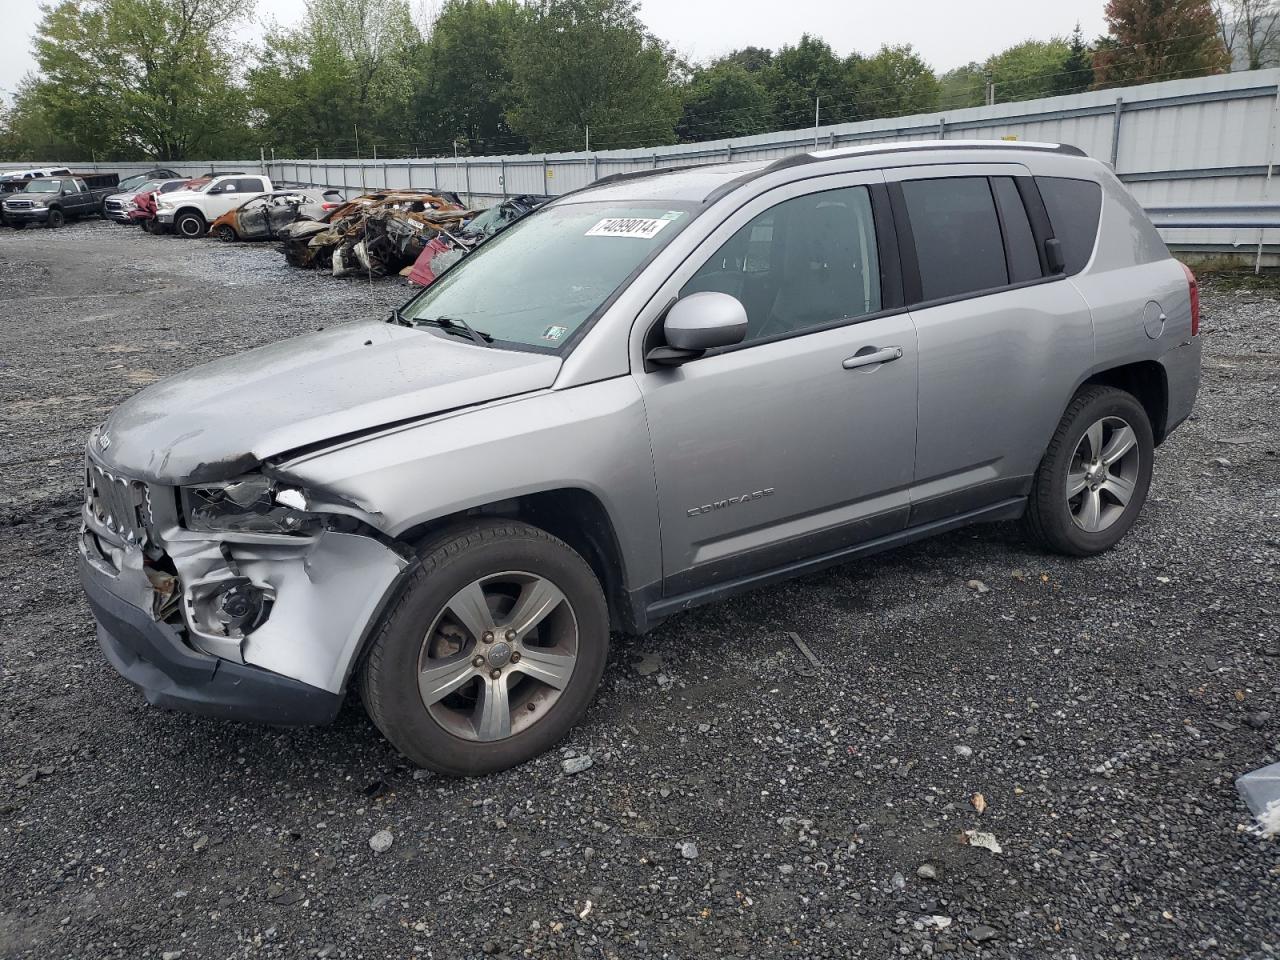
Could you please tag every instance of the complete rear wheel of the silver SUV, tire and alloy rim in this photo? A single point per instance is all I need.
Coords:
(1084, 504)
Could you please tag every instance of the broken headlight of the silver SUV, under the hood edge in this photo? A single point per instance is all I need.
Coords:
(252, 505)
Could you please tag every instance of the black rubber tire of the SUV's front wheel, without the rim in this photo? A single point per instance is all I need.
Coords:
(401, 715)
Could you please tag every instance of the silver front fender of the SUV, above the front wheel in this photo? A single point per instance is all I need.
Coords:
(593, 438)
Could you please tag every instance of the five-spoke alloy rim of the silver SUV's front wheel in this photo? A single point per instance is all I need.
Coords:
(499, 656)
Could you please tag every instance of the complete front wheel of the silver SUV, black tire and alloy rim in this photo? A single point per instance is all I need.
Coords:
(458, 735)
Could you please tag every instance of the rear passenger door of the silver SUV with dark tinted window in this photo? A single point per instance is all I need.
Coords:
(1003, 342)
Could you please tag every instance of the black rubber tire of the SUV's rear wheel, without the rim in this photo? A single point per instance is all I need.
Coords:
(1055, 514)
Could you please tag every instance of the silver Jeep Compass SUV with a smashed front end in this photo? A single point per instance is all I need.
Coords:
(653, 394)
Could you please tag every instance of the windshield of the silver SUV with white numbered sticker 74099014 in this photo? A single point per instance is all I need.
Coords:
(540, 281)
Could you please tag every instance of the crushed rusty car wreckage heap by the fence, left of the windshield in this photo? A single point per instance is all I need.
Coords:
(376, 235)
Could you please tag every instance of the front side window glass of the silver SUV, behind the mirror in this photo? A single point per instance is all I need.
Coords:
(806, 263)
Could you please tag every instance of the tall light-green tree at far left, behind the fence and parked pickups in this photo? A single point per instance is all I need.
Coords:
(127, 79)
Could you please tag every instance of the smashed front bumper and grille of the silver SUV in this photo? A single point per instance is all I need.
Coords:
(250, 627)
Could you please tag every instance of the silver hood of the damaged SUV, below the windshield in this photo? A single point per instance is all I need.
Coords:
(218, 420)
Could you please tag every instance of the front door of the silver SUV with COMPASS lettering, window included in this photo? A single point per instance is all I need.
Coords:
(801, 441)
